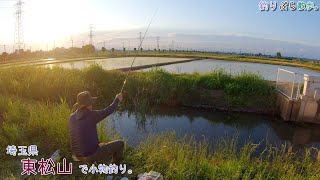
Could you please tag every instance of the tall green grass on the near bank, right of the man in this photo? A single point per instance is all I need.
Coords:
(186, 159)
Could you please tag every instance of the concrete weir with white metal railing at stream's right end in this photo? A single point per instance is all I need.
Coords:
(294, 105)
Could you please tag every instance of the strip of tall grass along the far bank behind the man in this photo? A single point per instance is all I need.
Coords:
(143, 89)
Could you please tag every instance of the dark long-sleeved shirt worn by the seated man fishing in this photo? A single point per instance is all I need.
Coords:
(83, 128)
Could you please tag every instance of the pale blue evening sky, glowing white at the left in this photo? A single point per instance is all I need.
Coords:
(186, 24)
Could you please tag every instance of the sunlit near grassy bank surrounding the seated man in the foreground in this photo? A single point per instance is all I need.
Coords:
(45, 124)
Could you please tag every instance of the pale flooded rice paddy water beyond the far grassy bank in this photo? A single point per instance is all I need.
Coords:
(267, 71)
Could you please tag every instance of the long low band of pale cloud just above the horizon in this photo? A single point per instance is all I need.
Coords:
(231, 42)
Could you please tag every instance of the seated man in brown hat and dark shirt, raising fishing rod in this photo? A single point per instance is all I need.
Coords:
(83, 131)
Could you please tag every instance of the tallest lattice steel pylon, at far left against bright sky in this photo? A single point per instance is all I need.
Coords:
(18, 34)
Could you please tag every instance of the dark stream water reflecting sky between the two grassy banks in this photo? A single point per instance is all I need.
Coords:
(214, 125)
